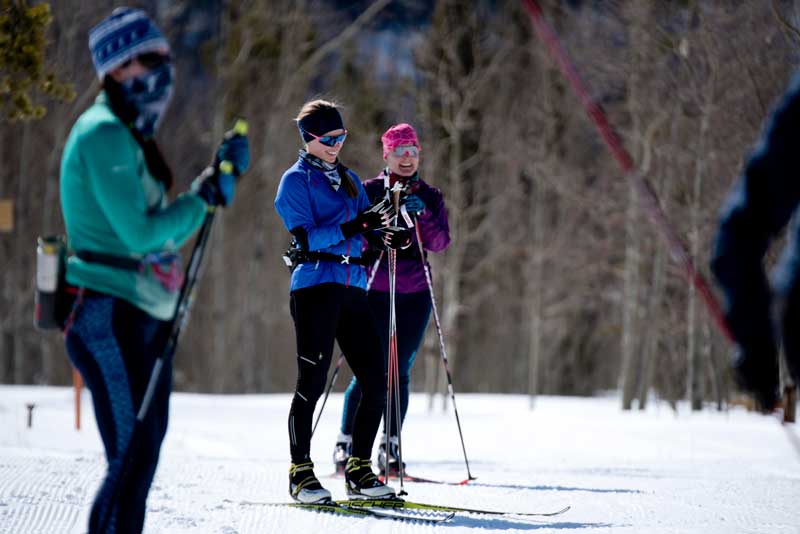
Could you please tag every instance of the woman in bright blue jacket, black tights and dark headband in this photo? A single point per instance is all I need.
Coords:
(325, 207)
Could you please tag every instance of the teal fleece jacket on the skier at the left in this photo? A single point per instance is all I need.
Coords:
(111, 204)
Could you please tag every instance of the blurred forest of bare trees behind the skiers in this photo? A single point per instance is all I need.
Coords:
(554, 283)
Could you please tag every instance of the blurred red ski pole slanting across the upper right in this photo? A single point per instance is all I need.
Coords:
(648, 200)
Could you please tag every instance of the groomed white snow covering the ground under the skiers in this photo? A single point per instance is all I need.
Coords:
(651, 472)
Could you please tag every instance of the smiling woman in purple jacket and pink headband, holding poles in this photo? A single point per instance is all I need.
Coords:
(425, 206)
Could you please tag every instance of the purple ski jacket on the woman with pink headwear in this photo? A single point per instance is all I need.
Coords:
(435, 231)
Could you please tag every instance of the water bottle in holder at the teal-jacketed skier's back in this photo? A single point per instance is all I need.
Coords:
(50, 258)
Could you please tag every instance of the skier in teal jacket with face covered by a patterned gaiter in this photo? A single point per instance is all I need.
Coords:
(124, 235)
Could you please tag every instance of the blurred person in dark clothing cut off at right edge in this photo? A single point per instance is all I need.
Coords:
(763, 201)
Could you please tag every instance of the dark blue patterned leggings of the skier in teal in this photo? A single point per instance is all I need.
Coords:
(114, 346)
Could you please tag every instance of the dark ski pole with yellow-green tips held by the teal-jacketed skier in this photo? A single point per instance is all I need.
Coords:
(178, 322)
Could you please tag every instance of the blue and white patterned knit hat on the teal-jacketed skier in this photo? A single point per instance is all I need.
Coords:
(125, 34)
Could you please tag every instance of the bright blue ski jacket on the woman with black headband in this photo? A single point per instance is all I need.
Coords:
(307, 200)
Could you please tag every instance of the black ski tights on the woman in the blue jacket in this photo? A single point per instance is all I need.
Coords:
(322, 314)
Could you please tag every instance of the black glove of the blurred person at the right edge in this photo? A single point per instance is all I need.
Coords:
(756, 371)
